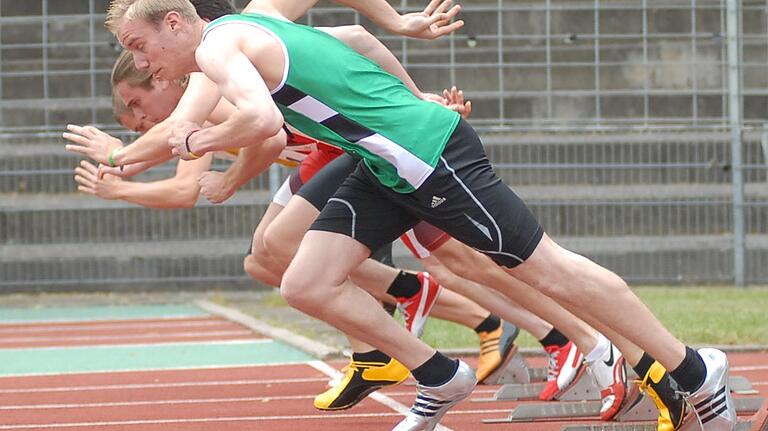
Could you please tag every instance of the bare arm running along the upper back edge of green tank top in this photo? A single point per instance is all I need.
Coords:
(359, 39)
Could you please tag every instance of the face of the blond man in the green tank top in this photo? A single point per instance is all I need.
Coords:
(165, 48)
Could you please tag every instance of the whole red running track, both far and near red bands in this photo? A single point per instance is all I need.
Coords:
(276, 398)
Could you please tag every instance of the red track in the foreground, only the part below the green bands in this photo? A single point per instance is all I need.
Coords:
(275, 398)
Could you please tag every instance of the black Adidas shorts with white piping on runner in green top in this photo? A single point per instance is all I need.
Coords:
(463, 197)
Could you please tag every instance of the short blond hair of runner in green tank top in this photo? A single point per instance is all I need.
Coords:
(152, 11)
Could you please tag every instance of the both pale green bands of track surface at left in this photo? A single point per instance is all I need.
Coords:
(105, 358)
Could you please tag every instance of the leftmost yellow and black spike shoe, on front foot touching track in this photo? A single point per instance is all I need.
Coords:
(360, 379)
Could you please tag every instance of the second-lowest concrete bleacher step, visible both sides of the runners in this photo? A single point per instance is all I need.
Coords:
(576, 210)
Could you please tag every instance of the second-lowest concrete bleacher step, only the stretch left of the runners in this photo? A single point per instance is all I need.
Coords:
(51, 219)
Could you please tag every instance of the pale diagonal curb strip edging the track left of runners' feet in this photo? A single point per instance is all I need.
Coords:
(314, 348)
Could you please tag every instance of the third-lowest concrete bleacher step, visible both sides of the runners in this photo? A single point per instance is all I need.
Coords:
(40, 164)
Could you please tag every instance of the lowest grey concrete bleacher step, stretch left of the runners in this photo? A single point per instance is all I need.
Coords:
(87, 266)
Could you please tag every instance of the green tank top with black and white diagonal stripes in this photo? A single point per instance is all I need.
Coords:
(333, 94)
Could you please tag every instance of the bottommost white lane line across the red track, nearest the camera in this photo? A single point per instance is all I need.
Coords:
(325, 416)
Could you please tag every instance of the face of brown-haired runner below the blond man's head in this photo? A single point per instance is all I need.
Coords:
(154, 104)
